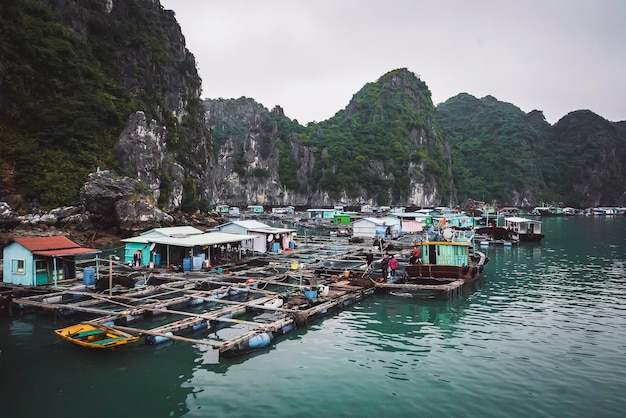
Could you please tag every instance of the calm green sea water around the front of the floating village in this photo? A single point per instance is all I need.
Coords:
(543, 336)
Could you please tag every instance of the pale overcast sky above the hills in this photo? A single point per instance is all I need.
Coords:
(311, 56)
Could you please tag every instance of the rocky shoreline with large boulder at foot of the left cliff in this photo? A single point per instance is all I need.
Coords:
(110, 209)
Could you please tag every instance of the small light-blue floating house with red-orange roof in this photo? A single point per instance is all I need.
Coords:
(34, 261)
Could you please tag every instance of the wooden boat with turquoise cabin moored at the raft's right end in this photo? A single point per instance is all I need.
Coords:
(447, 263)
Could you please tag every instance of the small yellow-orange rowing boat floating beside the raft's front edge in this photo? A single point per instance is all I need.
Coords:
(95, 336)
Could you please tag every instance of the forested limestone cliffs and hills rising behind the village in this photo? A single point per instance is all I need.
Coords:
(109, 85)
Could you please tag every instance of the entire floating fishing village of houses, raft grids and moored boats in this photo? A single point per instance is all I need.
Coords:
(238, 287)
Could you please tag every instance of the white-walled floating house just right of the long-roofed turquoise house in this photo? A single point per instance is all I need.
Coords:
(266, 238)
